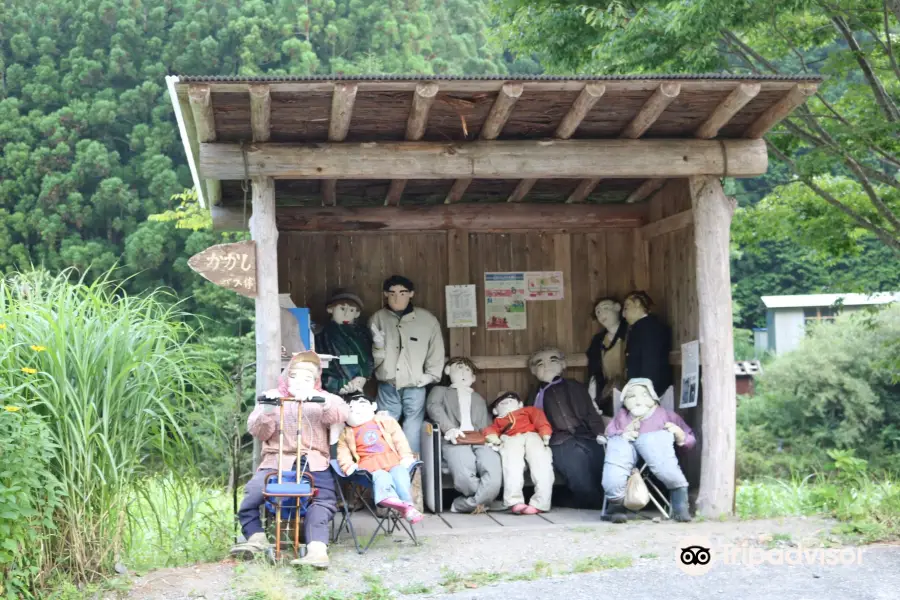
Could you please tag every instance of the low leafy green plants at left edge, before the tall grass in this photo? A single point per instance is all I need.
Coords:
(29, 493)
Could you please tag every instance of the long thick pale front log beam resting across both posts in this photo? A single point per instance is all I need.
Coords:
(507, 159)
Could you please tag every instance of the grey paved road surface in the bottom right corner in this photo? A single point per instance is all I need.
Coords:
(876, 578)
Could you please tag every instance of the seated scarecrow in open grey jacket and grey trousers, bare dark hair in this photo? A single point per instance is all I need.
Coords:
(458, 409)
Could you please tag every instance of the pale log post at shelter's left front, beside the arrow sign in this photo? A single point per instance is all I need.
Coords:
(268, 311)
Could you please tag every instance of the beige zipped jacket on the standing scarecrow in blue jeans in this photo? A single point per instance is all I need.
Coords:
(413, 348)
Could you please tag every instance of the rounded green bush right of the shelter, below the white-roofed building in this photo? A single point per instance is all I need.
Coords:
(835, 392)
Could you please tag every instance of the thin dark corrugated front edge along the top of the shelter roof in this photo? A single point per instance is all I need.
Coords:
(653, 77)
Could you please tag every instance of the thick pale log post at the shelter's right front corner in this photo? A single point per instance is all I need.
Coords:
(712, 222)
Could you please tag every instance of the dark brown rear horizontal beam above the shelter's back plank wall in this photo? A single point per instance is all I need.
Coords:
(481, 217)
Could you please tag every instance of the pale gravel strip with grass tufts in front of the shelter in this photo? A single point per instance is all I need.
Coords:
(457, 562)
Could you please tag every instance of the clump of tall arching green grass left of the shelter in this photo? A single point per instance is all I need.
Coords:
(115, 378)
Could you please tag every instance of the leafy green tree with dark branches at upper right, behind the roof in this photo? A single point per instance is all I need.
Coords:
(841, 151)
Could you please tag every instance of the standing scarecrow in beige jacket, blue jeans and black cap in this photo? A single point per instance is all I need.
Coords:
(408, 348)
